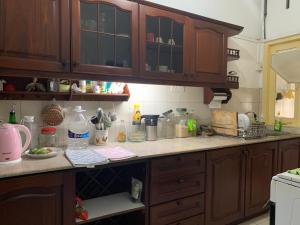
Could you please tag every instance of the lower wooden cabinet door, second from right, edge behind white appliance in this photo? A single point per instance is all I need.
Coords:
(261, 167)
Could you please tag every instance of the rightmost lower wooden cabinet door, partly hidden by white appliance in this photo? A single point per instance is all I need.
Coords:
(289, 155)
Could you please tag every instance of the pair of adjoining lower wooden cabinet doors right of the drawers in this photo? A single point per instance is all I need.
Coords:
(238, 182)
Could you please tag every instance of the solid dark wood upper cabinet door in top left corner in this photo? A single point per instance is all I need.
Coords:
(34, 35)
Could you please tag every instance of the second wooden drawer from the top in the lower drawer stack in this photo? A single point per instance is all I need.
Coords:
(175, 186)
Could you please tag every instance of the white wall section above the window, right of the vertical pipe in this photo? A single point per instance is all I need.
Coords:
(281, 21)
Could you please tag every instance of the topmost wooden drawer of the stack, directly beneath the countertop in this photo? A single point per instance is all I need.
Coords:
(178, 165)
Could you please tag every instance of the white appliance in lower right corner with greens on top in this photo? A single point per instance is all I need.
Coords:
(285, 198)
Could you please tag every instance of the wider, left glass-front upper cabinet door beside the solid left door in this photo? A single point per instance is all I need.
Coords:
(105, 37)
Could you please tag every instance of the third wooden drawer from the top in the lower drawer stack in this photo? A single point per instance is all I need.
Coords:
(177, 210)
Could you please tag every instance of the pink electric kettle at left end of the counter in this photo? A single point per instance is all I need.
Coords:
(11, 147)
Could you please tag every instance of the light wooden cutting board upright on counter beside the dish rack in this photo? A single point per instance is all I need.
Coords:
(225, 122)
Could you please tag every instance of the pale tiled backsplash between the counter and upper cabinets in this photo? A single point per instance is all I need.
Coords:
(153, 99)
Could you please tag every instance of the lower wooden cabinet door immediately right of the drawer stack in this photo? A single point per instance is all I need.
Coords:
(225, 186)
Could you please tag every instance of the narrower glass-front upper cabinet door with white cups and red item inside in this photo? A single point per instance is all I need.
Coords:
(162, 43)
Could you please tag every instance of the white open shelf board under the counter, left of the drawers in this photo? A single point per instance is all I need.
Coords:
(109, 206)
